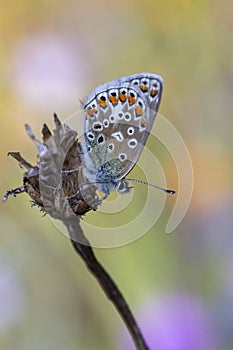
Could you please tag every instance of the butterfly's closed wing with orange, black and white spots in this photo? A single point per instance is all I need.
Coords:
(118, 117)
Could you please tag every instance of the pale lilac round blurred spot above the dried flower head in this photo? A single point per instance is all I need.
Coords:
(47, 69)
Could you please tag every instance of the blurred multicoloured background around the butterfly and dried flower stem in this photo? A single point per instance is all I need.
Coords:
(180, 286)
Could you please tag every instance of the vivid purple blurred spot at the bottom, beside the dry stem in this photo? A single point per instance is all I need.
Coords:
(174, 322)
